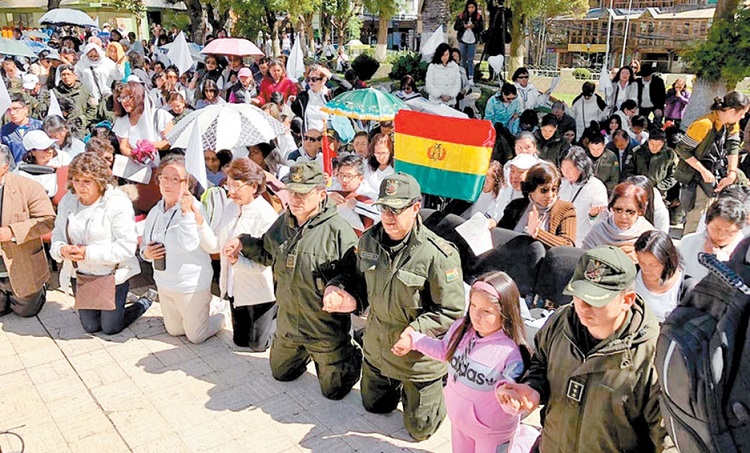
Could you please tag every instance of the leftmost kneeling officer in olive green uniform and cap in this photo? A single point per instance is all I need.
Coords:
(304, 247)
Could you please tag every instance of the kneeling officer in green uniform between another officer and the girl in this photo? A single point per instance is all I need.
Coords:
(412, 281)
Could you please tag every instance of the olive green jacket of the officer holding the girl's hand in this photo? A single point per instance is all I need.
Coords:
(420, 286)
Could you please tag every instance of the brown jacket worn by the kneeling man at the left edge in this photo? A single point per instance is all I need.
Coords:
(28, 211)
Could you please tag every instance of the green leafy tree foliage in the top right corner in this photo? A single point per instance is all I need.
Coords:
(725, 55)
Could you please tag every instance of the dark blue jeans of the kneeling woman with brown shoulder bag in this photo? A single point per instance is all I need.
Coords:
(111, 322)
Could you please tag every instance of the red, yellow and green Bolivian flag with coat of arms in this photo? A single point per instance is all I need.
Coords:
(448, 156)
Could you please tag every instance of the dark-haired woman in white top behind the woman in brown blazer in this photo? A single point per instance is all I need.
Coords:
(580, 187)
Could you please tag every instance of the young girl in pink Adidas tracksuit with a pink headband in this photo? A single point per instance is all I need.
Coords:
(483, 350)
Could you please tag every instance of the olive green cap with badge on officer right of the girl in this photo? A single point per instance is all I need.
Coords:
(601, 274)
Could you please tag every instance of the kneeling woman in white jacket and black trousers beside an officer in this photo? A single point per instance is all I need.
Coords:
(247, 285)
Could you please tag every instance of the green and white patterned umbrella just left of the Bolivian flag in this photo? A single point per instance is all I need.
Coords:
(365, 104)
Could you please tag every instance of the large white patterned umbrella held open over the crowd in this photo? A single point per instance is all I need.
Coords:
(227, 126)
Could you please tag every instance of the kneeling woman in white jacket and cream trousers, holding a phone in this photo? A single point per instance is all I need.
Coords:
(182, 268)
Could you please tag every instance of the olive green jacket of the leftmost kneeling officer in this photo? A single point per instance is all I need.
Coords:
(303, 260)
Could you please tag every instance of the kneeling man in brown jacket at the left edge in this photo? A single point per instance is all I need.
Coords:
(26, 214)
